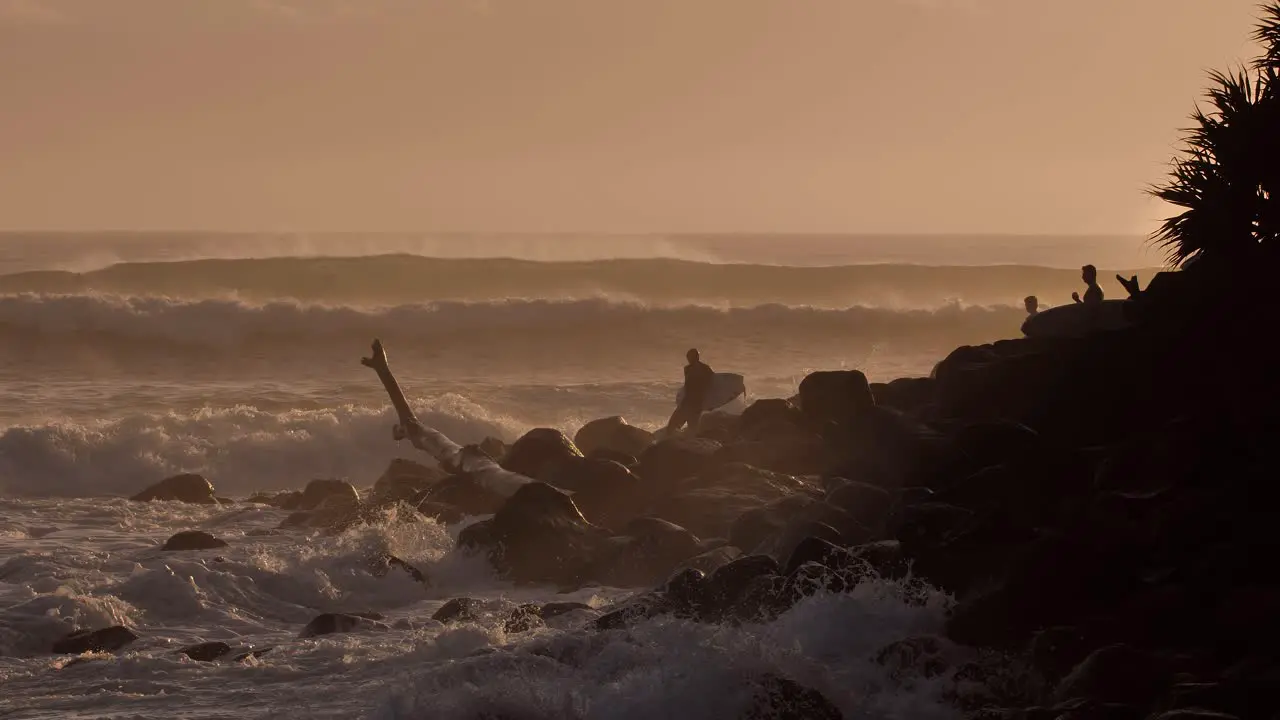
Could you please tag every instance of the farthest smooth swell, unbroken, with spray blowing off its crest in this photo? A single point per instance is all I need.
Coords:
(400, 280)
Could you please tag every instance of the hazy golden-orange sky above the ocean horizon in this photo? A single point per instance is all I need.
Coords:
(627, 116)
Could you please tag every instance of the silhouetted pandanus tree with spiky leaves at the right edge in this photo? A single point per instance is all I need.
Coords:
(1228, 176)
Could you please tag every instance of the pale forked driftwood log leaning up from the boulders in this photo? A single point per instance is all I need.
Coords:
(452, 457)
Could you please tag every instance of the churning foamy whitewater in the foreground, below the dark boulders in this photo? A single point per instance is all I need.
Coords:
(103, 567)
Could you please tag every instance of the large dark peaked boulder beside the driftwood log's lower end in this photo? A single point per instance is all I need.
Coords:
(540, 536)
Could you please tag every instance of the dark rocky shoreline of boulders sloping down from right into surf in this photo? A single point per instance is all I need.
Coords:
(1100, 509)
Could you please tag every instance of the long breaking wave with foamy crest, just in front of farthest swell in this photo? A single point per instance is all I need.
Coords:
(97, 320)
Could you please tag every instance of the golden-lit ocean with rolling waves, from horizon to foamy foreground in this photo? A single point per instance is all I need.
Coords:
(129, 358)
